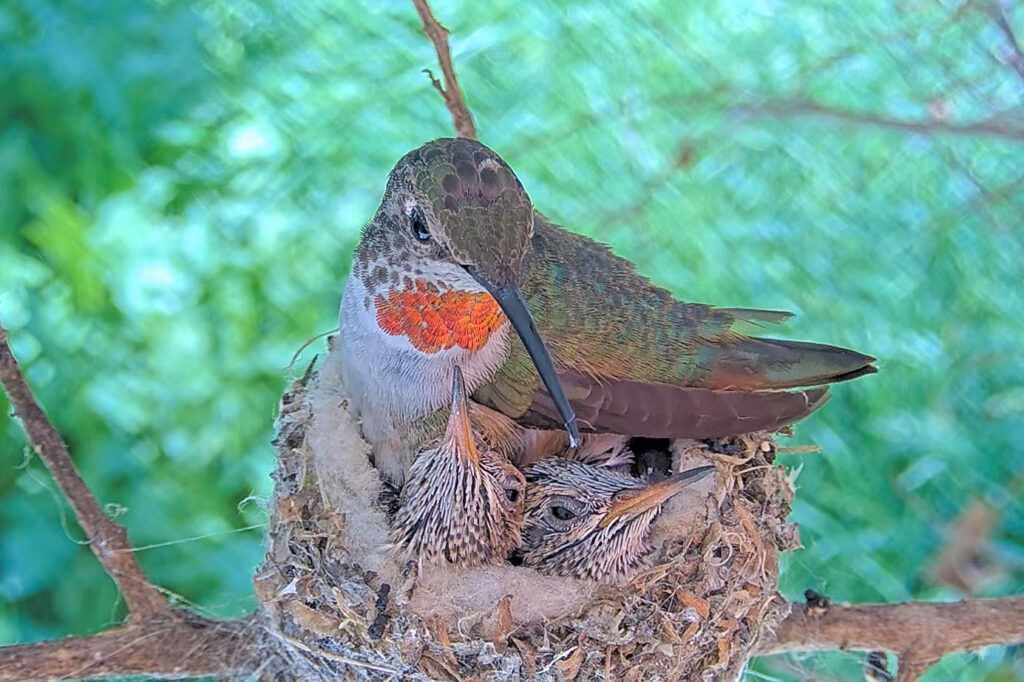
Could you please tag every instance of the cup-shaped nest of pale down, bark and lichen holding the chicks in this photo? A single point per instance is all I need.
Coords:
(338, 607)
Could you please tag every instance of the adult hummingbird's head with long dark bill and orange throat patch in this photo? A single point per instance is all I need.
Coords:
(456, 223)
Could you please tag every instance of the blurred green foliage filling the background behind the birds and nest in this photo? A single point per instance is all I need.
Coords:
(182, 186)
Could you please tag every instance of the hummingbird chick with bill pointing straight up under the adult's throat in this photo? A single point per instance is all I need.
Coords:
(463, 502)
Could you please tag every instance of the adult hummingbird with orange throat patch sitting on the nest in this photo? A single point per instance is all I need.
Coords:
(457, 268)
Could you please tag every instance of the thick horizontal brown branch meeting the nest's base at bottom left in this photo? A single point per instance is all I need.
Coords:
(172, 646)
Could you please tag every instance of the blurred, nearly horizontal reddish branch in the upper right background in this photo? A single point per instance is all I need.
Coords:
(989, 129)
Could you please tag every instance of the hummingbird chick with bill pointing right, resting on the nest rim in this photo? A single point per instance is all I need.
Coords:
(587, 522)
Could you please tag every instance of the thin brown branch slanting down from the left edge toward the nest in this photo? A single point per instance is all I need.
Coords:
(108, 540)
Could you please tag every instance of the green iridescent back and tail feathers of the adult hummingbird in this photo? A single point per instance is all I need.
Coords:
(604, 321)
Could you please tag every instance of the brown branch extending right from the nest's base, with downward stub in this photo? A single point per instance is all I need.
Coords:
(919, 633)
